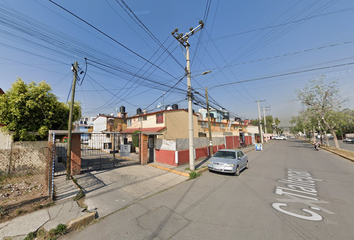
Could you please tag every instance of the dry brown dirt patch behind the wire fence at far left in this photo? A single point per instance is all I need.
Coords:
(20, 195)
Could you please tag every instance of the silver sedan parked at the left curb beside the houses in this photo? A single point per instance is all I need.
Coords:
(228, 161)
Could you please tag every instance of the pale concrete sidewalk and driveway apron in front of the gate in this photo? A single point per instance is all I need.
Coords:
(107, 191)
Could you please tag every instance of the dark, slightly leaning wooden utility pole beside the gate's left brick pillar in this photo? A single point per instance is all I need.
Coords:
(68, 156)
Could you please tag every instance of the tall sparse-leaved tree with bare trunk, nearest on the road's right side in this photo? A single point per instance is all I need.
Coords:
(324, 102)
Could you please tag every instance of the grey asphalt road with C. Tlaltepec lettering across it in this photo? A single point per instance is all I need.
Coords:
(289, 192)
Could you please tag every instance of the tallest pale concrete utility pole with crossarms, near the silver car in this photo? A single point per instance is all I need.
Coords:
(183, 40)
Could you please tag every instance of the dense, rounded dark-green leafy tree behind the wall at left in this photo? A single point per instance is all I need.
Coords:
(30, 107)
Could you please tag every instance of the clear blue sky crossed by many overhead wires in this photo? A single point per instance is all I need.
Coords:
(243, 43)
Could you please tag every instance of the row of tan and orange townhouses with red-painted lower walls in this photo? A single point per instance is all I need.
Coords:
(165, 133)
